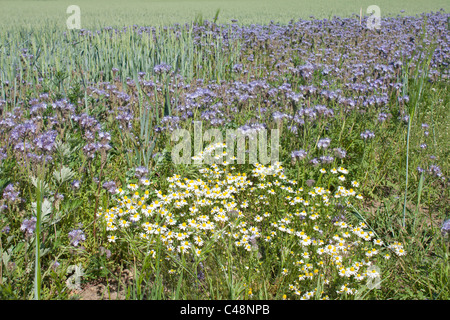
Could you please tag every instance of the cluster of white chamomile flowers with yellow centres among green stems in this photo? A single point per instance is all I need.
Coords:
(256, 212)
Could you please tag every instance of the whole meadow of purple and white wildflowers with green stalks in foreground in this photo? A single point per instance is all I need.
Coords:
(356, 205)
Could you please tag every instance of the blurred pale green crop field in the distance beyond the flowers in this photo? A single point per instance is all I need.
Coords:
(98, 14)
